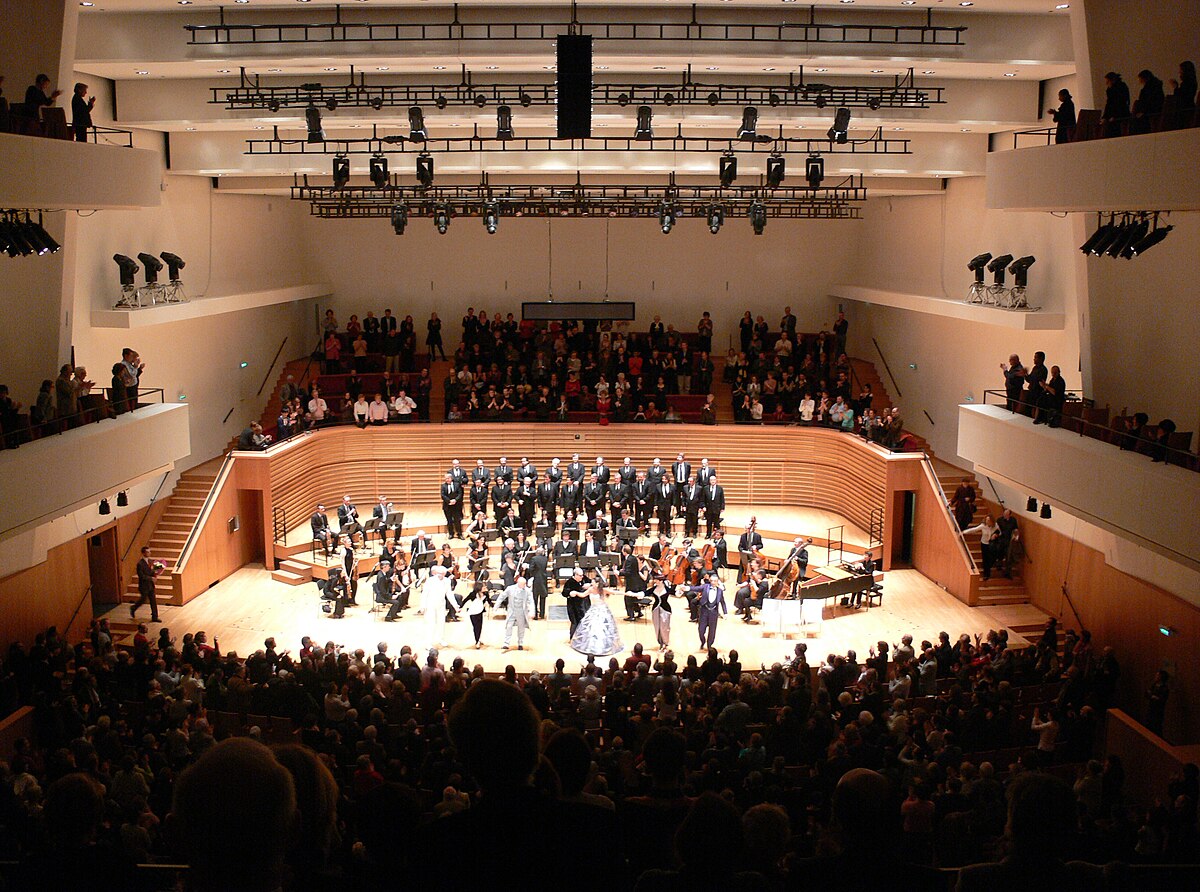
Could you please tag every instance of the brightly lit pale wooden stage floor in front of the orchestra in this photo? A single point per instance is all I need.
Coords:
(249, 607)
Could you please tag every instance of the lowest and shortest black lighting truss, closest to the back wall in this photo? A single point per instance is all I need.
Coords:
(836, 202)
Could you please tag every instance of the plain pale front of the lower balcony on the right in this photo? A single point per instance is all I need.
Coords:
(1153, 505)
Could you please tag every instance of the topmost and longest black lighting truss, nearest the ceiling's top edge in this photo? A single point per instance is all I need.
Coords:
(680, 28)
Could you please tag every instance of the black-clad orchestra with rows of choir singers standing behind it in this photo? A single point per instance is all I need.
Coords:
(569, 526)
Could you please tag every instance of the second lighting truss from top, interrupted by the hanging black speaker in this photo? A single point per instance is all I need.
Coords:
(251, 94)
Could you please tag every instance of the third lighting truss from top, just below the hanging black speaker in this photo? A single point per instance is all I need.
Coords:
(874, 145)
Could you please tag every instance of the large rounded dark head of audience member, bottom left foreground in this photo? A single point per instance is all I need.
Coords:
(235, 812)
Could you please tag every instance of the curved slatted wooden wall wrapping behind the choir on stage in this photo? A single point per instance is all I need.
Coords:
(770, 466)
